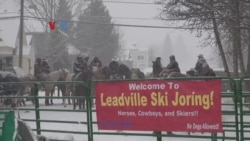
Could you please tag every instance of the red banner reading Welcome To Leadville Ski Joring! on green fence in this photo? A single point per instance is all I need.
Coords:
(160, 105)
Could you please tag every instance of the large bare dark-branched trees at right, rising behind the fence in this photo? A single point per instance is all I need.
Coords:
(224, 18)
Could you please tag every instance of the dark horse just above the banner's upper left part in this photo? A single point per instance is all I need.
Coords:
(119, 71)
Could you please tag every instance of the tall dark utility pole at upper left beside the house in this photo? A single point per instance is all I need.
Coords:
(21, 35)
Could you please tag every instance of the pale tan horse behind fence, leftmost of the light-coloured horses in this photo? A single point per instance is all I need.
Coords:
(49, 87)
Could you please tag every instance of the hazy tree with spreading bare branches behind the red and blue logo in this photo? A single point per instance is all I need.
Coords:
(55, 42)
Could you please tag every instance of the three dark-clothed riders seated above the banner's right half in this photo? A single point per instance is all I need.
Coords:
(201, 67)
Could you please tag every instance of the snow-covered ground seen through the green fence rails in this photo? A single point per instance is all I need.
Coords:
(80, 126)
